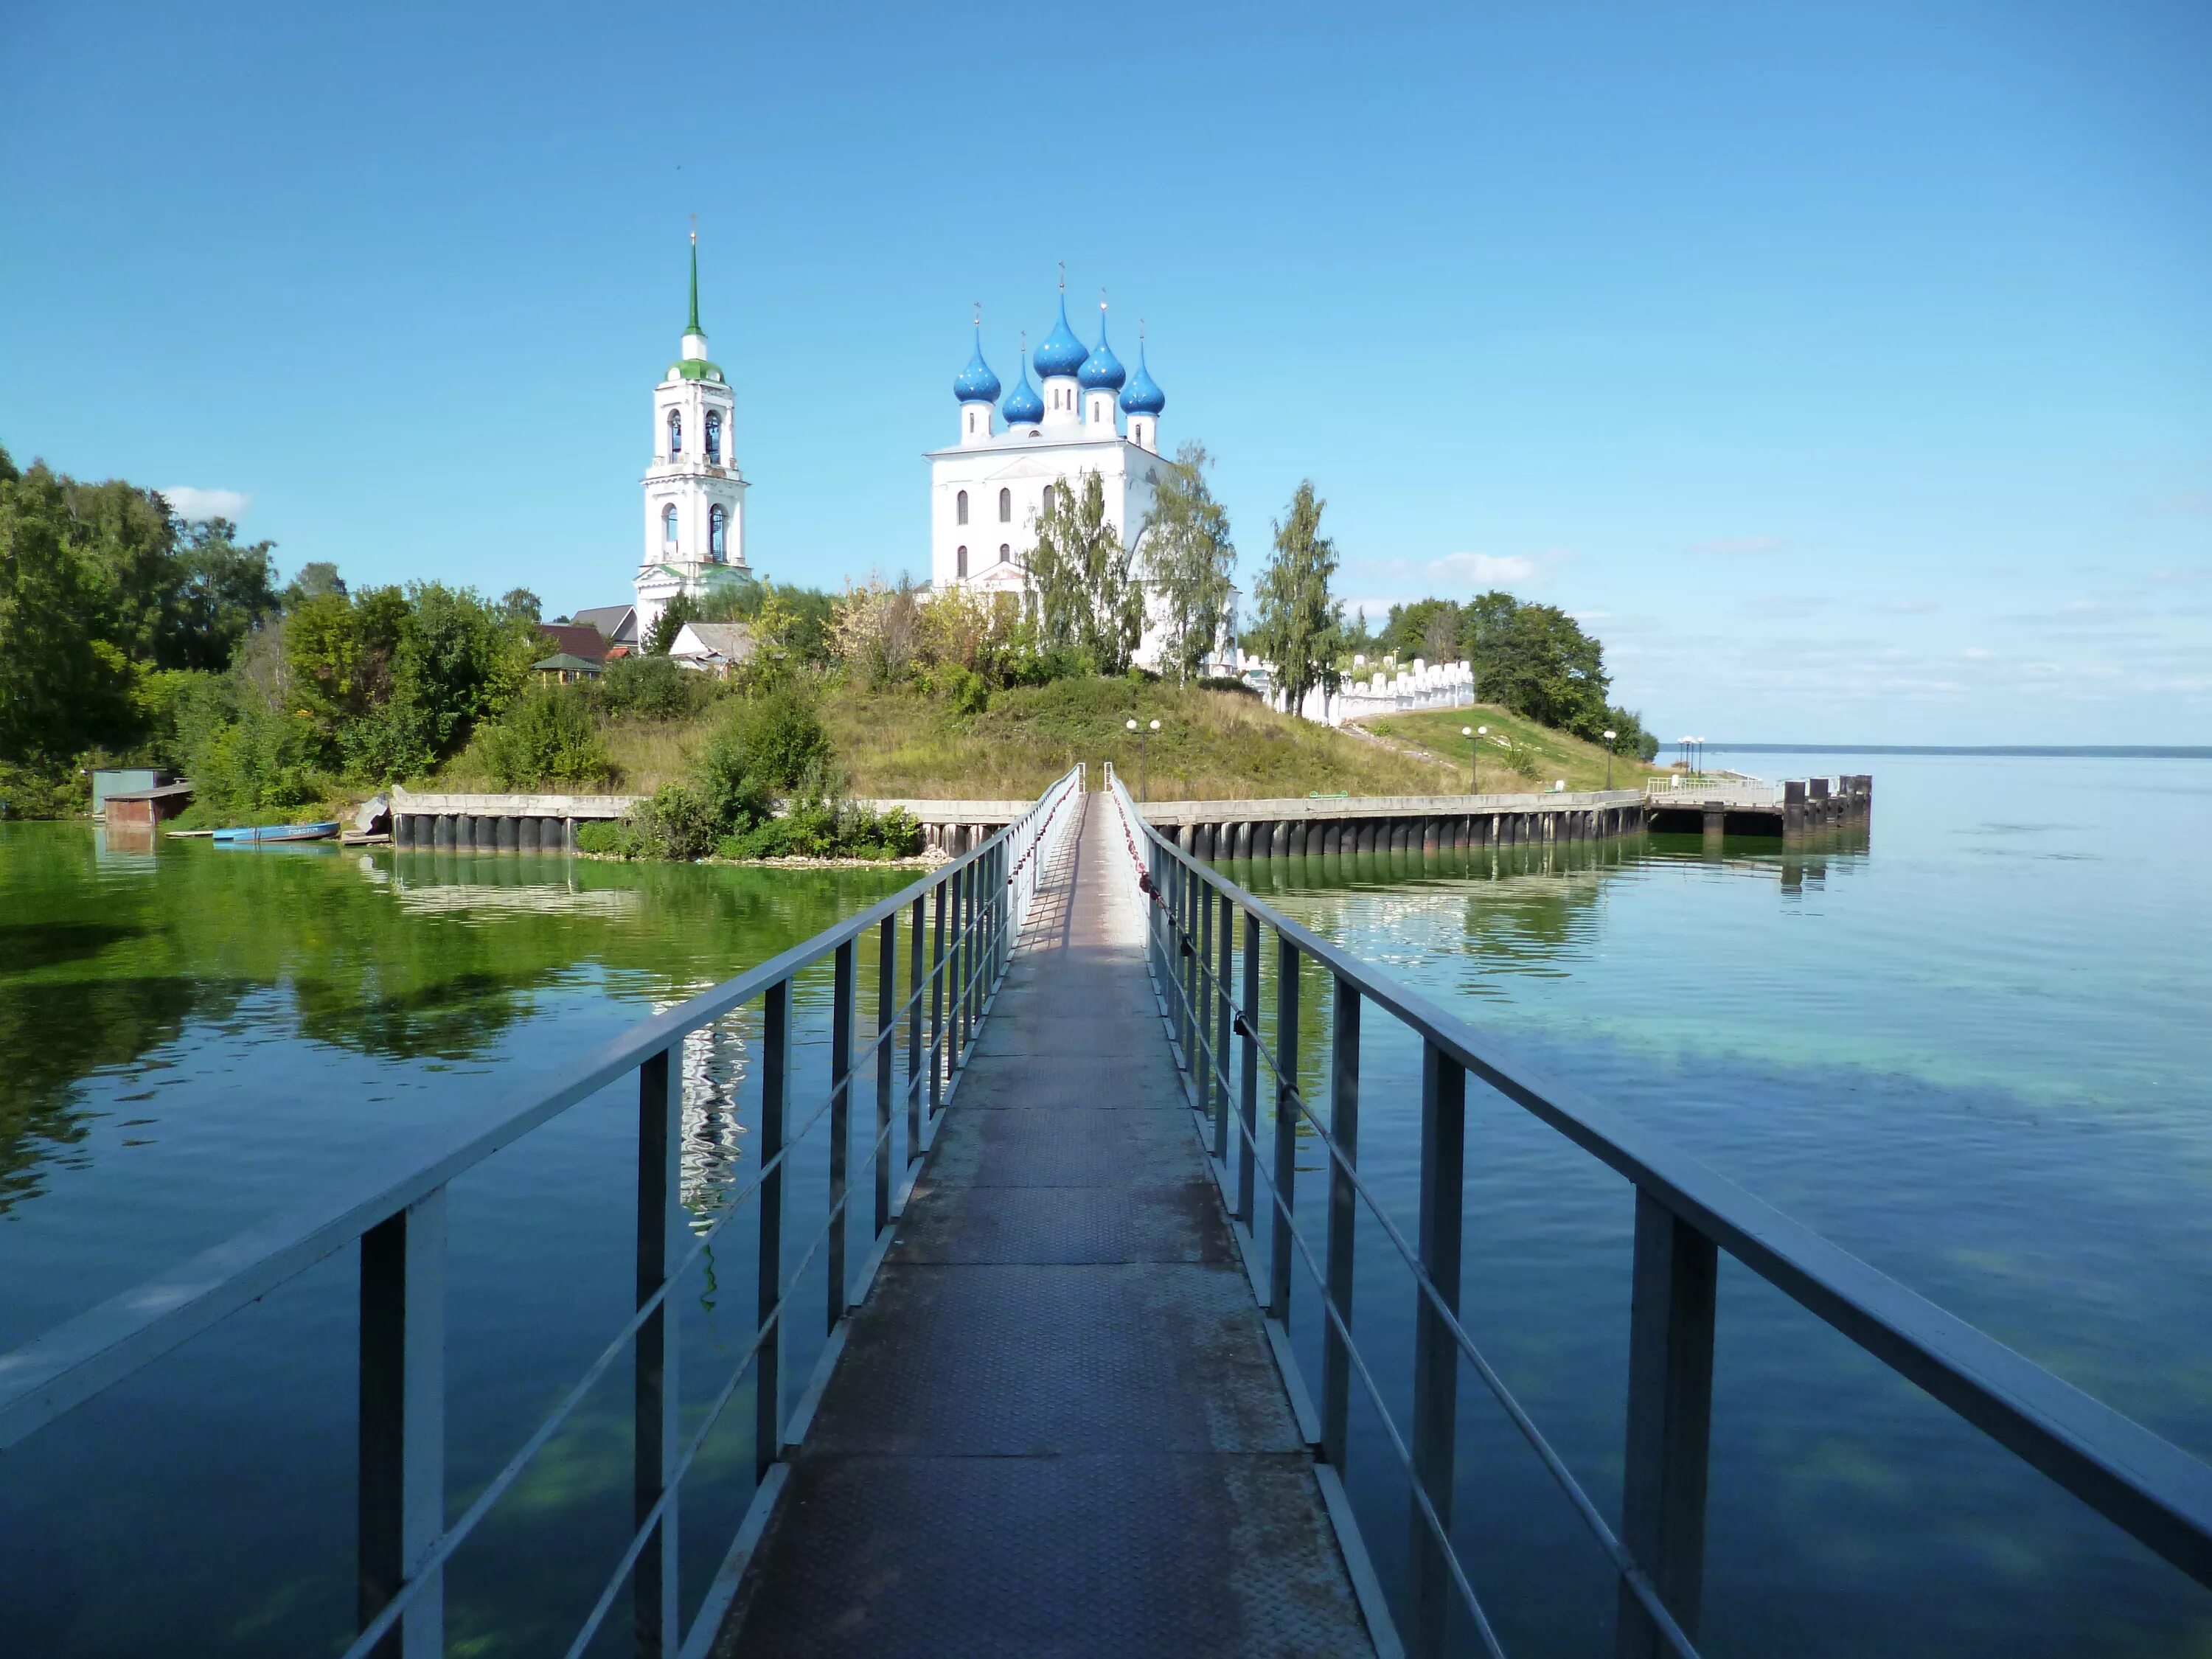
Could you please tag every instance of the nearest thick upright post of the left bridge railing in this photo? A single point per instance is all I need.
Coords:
(401, 1432)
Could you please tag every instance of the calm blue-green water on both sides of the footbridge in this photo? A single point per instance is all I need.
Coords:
(1972, 1050)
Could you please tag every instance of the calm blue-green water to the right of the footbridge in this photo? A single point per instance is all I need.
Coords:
(1974, 1050)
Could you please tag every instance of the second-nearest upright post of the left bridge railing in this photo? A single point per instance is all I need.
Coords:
(660, 1242)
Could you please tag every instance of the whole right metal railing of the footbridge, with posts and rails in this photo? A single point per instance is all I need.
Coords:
(1684, 1218)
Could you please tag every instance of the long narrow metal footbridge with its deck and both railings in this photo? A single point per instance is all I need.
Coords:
(1047, 1282)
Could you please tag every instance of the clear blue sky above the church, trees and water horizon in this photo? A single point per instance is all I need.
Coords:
(1848, 371)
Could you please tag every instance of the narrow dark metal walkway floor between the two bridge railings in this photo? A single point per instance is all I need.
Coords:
(1058, 1428)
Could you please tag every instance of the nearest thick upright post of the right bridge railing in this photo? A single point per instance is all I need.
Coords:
(1669, 1421)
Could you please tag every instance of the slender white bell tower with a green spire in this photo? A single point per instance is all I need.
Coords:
(696, 494)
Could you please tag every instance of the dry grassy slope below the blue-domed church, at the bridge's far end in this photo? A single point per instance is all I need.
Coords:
(1211, 747)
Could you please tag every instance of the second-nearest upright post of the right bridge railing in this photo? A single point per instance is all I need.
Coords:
(1437, 1355)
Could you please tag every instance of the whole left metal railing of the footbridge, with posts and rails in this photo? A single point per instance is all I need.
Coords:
(968, 912)
